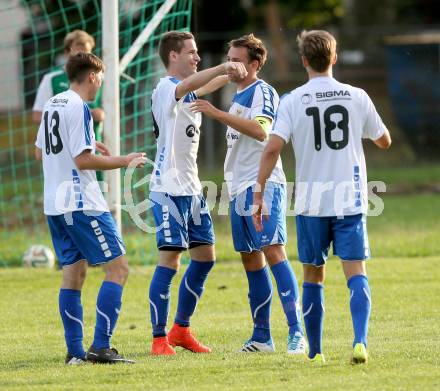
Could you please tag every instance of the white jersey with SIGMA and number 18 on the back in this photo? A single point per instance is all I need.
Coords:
(326, 121)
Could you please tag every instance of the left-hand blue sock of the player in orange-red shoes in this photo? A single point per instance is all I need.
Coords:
(160, 299)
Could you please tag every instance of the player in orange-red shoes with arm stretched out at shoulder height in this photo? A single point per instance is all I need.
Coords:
(179, 208)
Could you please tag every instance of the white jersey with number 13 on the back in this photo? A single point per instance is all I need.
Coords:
(65, 131)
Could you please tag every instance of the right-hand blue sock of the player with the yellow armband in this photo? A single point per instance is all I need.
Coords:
(289, 294)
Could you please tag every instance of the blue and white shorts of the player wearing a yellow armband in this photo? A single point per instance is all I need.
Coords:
(246, 239)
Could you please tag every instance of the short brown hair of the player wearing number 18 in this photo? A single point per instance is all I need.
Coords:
(318, 47)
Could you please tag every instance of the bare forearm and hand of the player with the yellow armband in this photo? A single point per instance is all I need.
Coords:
(249, 127)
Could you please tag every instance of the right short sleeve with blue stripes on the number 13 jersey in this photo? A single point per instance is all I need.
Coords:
(80, 125)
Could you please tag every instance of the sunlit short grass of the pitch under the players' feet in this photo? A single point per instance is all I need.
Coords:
(403, 335)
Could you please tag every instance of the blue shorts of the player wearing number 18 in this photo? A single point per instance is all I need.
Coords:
(349, 237)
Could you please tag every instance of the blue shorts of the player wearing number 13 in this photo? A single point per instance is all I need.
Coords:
(77, 236)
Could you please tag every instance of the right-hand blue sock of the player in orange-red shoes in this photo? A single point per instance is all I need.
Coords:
(191, 289)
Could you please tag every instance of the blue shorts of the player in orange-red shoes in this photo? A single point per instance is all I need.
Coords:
(182, 222)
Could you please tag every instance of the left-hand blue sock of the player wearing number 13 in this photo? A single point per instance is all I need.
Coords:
(69, 301)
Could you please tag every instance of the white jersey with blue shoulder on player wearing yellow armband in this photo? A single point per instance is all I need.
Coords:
(243, 155)
